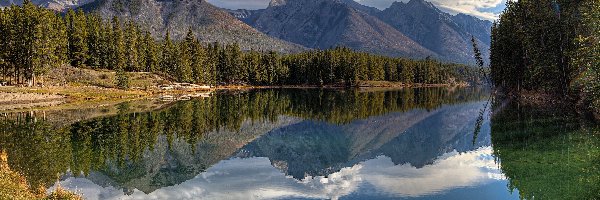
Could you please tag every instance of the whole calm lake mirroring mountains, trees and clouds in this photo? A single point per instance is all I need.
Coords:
(426, 143)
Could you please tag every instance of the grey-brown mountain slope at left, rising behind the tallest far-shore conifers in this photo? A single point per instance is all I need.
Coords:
(211, 24)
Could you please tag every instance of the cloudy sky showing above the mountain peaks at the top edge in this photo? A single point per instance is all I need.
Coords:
(483, 9)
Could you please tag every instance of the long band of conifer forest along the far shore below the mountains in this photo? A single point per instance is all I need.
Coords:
(36, 40)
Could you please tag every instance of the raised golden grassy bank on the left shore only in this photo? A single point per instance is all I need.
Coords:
(69, 87)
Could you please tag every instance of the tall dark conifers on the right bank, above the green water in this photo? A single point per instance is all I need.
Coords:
(551, 46)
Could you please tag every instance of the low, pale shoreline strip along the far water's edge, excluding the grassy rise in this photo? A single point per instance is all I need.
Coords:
(15, 98)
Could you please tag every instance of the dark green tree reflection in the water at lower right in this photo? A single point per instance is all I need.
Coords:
(547, 153)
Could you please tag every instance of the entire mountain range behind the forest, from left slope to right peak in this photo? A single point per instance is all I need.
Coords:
(416, 29)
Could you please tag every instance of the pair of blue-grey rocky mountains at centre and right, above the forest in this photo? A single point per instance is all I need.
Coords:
(322, 23)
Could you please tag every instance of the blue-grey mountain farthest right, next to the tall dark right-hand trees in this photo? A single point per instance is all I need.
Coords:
(448, 36)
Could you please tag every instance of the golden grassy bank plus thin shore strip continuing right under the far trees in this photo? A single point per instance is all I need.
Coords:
(69, 87)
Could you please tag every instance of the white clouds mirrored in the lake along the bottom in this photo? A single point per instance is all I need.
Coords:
(256, 178)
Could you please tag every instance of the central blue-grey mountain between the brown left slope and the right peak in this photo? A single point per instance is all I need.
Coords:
(328, 23)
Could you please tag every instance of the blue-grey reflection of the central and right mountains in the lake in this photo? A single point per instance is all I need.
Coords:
(417, 137)
